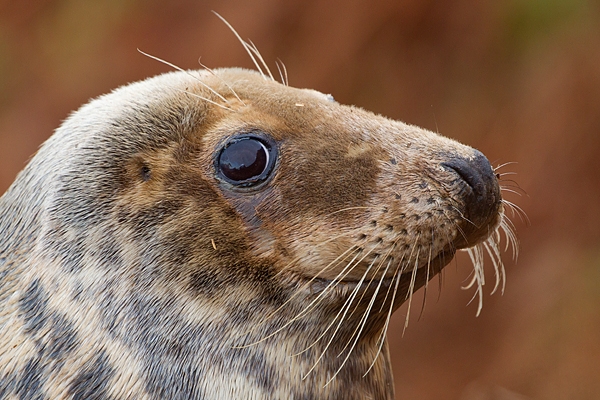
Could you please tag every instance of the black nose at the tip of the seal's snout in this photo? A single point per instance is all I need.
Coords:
(480, 192)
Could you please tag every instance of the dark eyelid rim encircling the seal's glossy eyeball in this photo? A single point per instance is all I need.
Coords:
(254, 183)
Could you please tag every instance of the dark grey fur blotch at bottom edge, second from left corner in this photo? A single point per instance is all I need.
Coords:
(93, 380)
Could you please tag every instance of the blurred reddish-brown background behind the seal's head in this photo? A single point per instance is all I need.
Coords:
(518, 79)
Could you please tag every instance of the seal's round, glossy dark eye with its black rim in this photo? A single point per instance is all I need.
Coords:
(246, 161)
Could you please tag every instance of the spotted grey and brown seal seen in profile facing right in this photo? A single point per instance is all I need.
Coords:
(217, 234)
